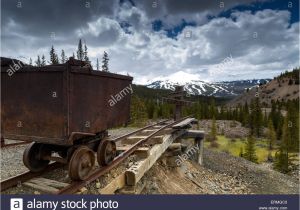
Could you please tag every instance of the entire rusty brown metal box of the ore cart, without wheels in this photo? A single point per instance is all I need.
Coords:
(59, 103)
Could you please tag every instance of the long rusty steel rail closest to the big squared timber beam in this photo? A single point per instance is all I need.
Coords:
(77, 185)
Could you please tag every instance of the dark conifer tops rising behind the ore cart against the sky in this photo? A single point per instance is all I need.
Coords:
(81, 54)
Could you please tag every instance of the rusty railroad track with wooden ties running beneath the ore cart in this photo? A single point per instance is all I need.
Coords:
(37, 181)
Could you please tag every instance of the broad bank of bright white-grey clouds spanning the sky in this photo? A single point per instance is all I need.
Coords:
(261, 44)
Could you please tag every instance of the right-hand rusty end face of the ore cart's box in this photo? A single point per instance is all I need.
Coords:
(90, 111)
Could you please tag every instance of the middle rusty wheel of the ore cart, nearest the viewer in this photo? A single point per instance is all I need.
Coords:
(81, 163)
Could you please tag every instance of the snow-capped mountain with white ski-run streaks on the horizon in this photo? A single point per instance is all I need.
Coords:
(193, 85)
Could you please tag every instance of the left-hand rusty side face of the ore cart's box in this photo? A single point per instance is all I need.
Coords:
(28, 108)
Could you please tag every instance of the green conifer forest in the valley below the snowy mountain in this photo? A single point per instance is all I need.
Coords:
(282, 133)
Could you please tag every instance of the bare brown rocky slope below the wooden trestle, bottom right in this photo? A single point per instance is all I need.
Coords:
(220, 174)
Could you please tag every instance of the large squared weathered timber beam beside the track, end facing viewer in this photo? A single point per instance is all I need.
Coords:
(136, 172)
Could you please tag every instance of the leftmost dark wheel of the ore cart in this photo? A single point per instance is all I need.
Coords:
(33, 157)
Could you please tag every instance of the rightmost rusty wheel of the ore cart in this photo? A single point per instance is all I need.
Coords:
(106, 152)
